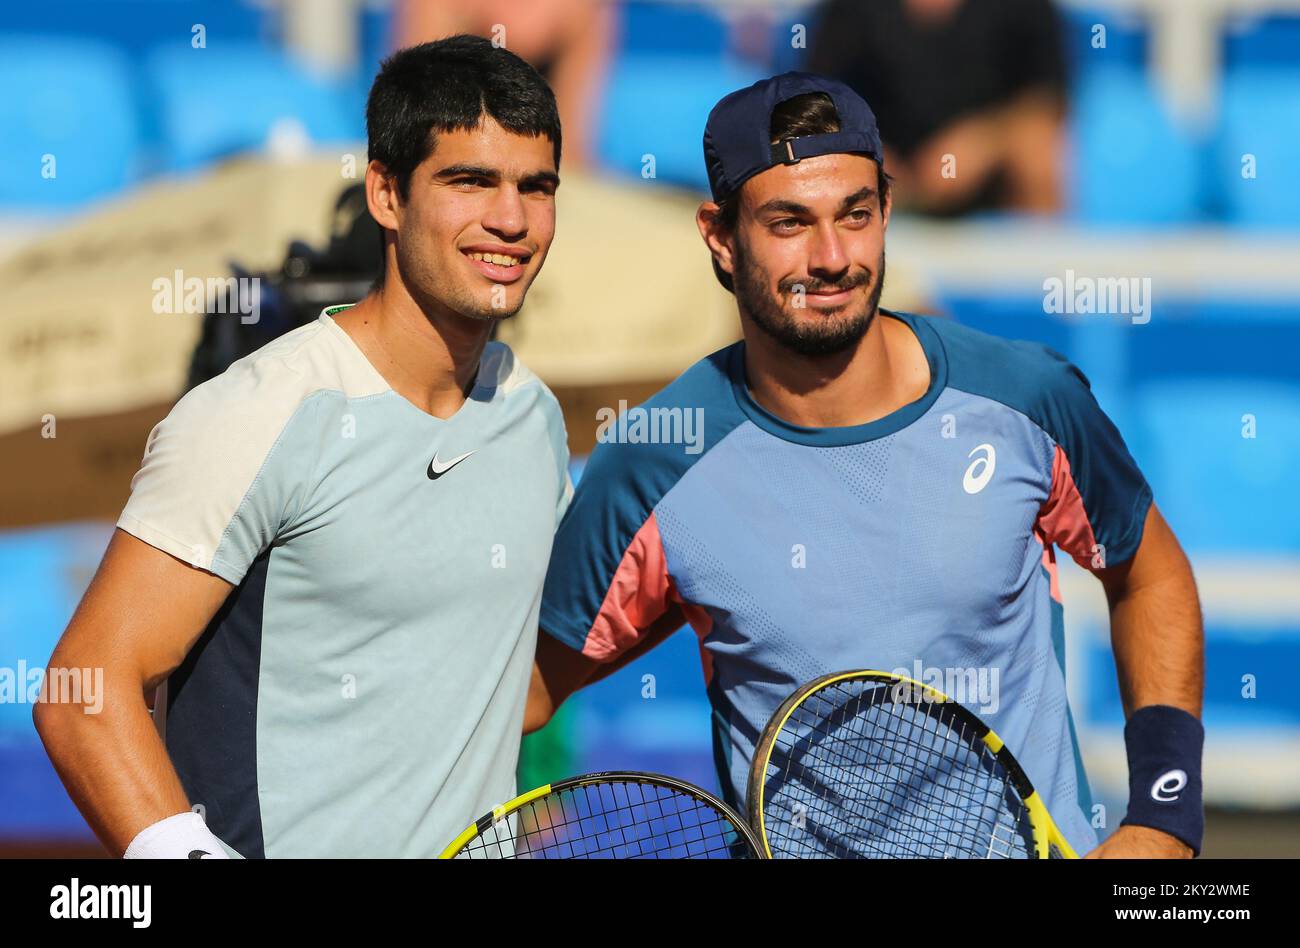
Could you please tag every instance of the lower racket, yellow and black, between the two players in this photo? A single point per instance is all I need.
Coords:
(614, 816)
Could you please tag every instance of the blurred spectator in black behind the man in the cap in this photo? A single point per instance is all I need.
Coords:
(982, 81)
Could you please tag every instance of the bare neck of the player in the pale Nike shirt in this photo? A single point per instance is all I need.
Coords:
(428, 356)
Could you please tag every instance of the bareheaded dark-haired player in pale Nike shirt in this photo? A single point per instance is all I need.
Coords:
(336, 549)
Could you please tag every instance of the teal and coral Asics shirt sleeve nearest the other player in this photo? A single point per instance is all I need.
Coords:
(609, 578)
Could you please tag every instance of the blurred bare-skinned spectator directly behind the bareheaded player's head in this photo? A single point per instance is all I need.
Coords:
(569, 42)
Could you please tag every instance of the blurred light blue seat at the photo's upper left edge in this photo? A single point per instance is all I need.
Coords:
(70, 99)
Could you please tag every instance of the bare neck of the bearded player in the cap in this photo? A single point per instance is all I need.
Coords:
(886, 371)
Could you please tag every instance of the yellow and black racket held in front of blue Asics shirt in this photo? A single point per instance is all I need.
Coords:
(872, 765)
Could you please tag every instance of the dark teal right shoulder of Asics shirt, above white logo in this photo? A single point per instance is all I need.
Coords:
(1021, 374)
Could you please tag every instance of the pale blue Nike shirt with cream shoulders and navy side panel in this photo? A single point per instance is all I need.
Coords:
(362, 691)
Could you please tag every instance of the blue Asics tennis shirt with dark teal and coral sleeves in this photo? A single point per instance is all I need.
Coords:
(924, 543)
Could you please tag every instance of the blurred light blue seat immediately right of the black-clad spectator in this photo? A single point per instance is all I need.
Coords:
(1132, 163)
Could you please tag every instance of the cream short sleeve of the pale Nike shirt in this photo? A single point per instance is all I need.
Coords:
(206, 492)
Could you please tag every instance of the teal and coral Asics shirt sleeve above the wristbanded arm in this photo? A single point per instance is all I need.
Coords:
(1099, 499)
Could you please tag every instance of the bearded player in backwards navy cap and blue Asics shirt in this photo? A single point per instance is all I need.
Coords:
(876, 490)
